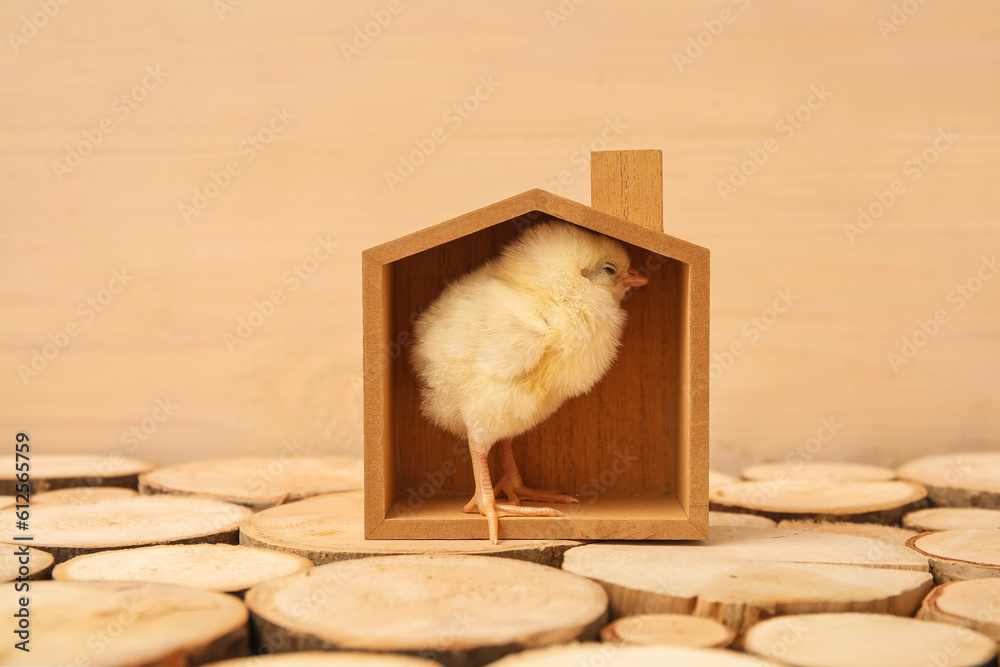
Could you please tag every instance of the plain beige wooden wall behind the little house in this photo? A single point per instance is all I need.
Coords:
(115, 116)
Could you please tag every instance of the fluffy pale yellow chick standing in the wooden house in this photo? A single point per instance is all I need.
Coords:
(505, 345)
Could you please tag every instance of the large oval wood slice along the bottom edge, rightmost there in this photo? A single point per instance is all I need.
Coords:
(868, 640)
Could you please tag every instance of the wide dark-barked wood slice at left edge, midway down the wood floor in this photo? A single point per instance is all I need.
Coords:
(67, 531)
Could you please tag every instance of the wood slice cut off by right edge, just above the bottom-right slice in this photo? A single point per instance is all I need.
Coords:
(974, 603)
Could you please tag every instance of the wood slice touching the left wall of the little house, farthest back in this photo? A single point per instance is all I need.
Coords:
(257, 482)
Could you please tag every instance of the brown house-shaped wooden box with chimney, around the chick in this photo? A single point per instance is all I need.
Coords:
(634, 450)
